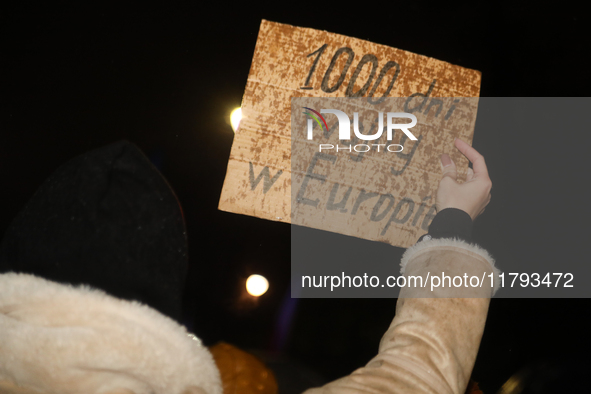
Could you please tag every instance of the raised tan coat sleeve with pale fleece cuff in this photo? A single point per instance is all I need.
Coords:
(432, 343)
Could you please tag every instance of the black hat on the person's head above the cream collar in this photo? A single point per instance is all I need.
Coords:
(107, 219)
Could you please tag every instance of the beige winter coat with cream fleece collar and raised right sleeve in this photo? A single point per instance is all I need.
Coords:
(57, 339)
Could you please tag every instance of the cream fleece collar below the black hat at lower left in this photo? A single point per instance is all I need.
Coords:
(58, 338)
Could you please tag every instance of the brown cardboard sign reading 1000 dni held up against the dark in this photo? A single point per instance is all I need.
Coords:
(292, 62)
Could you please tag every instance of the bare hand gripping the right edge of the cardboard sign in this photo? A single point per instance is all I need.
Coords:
(471, 196)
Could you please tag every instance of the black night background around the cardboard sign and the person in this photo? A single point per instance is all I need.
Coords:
(166, 79)
